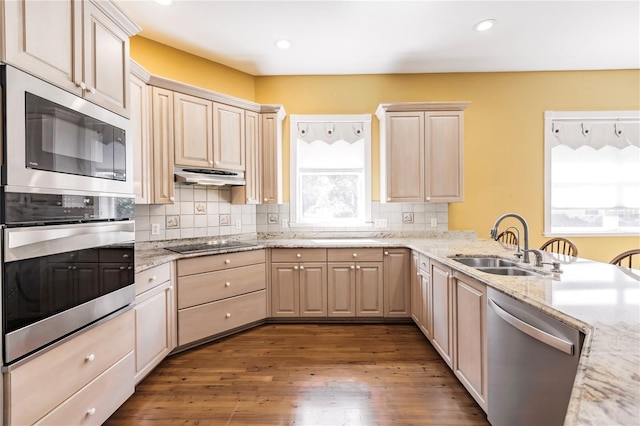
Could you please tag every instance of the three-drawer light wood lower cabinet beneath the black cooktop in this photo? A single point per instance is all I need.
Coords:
(219, 293)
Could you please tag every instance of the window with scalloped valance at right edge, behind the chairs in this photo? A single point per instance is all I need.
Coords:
(592, 173)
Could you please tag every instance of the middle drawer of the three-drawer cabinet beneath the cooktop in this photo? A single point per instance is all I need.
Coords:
(211, 286)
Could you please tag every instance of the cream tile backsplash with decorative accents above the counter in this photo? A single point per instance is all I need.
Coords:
(207, 212)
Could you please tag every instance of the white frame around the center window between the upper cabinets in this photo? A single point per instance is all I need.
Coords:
(294, 202)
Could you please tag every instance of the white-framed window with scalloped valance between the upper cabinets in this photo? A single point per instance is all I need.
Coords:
(330, 170)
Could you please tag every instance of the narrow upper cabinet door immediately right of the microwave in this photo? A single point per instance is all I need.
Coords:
(140, 119)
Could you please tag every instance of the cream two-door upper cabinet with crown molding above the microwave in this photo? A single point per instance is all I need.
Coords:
(81, 46)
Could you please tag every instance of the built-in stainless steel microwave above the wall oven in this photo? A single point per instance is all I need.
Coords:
(57, 142)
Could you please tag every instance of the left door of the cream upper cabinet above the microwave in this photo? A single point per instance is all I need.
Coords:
(49, 51)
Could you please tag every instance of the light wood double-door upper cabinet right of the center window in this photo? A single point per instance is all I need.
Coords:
(421, 151)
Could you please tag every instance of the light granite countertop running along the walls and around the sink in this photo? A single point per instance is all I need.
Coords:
(601, 300)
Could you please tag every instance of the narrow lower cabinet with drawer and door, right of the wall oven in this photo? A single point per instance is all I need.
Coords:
(155, 318)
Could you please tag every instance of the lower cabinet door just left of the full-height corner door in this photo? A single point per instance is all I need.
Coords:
(369, 289)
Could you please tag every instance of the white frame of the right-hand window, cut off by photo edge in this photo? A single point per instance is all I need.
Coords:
(549, 117)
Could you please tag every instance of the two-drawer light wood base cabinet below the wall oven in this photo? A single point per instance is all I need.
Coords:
(81, 381)
